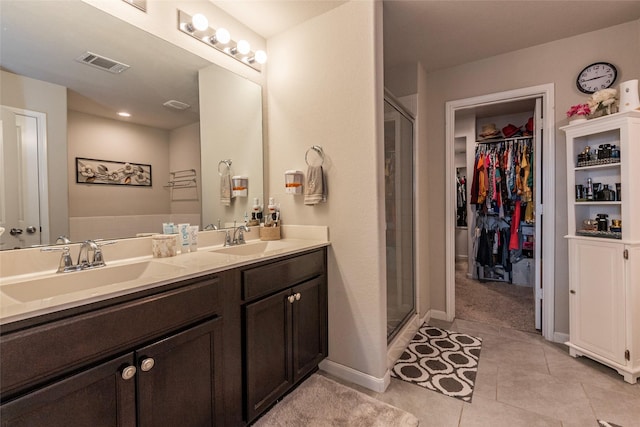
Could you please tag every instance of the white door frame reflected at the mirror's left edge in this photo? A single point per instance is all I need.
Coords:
(43, 186)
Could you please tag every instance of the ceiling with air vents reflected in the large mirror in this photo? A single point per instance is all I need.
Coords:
(160, 71)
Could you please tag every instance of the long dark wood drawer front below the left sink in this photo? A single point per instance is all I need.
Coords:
(37, 354)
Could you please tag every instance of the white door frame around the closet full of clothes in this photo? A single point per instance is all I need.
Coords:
(546, 92)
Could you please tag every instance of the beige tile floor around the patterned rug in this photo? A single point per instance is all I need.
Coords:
(523, 380)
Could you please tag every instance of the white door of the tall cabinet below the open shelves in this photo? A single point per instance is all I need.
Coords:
(597, 320)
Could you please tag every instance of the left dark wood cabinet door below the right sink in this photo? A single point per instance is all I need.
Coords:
(268, 351)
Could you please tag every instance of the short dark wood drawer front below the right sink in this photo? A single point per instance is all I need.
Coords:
(263, 280)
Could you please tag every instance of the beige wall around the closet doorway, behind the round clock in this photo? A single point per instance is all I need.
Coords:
(557, 62)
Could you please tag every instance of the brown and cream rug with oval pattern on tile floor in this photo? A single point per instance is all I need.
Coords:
(442, 361)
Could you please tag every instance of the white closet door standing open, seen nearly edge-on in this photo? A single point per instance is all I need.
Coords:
(538, 144)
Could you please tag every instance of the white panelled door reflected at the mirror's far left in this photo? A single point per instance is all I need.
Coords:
(20, 187)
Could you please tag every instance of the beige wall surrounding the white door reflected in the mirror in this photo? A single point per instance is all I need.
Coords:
(35, 95)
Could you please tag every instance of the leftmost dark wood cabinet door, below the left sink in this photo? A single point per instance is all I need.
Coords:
(97, 397)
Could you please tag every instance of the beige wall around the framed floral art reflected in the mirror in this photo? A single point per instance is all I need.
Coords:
(105, 139)
